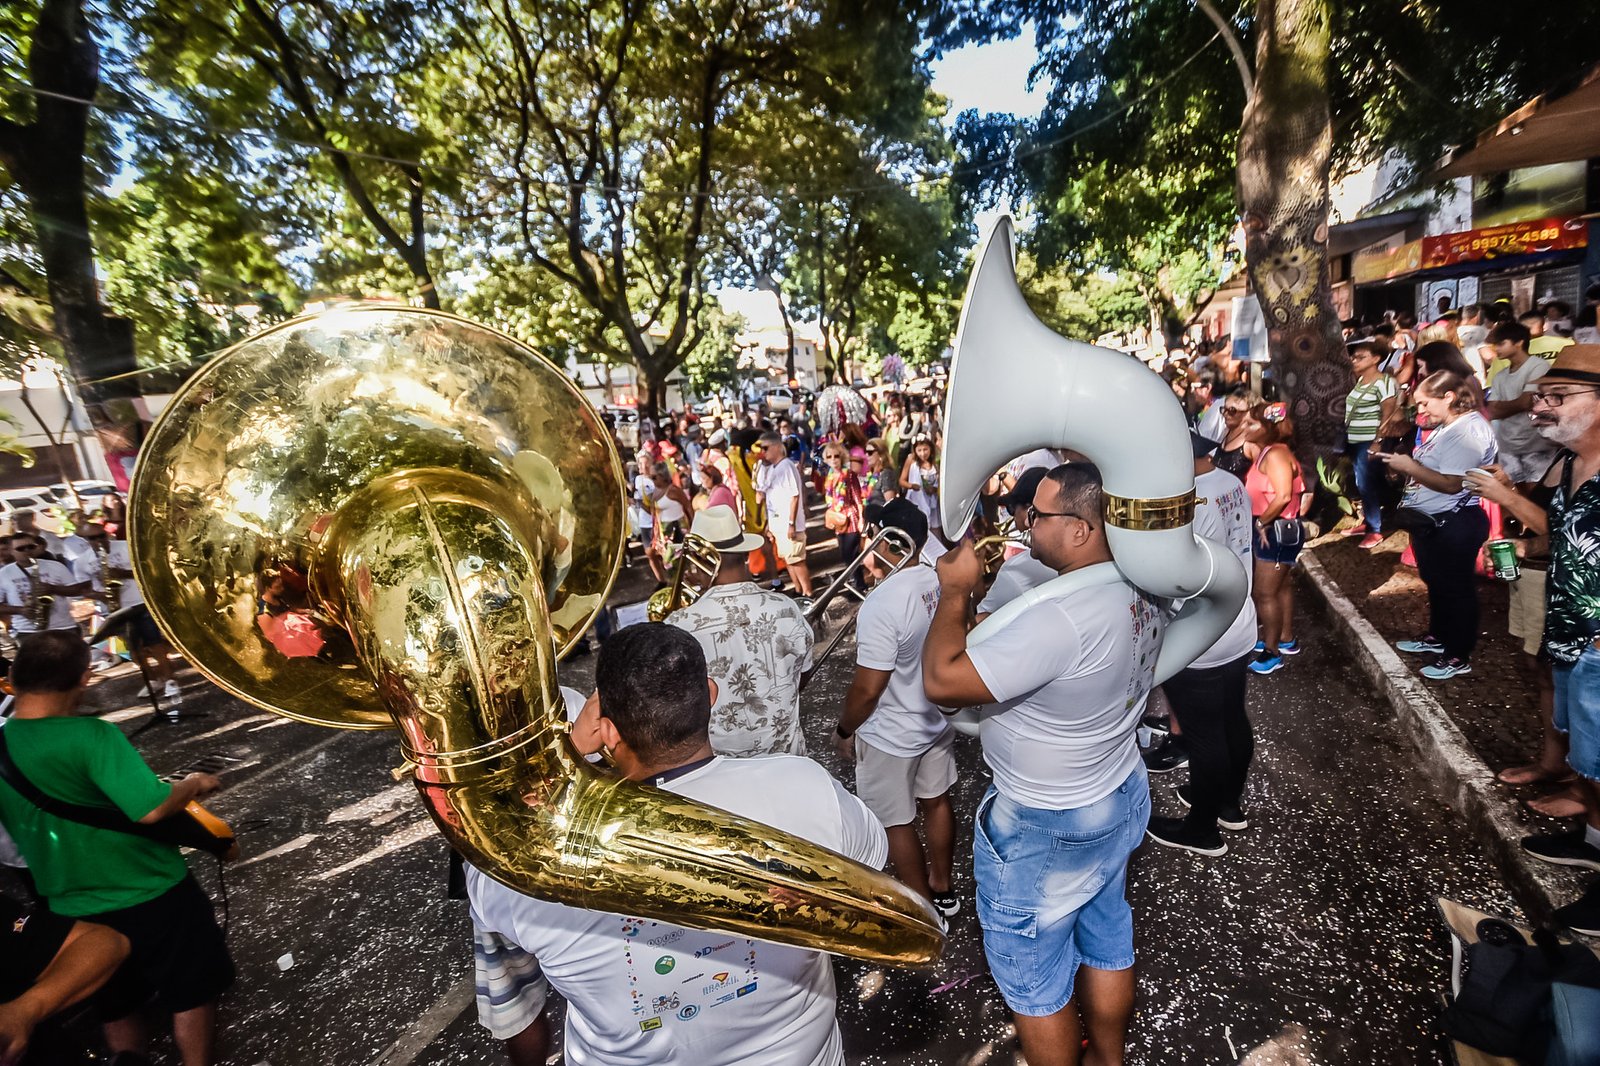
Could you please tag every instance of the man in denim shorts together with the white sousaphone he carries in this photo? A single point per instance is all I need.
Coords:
(1062, 673)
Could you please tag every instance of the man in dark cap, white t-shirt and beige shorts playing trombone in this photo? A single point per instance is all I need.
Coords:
(902, 743)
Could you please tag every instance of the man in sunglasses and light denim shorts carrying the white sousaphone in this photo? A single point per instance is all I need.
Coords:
(1071, 679)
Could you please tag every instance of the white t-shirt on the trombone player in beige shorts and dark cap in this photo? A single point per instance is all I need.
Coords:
(890, 630)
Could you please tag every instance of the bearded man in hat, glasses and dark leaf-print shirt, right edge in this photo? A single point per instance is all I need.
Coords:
(1567, 412)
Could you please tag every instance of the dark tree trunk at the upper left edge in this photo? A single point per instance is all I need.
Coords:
(47, 161)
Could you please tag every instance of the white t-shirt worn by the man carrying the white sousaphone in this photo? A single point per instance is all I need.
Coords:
(1070, 679)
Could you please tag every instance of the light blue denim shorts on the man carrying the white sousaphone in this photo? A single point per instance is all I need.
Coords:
(1050, 891)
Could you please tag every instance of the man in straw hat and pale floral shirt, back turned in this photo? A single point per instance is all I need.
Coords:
(758, 647)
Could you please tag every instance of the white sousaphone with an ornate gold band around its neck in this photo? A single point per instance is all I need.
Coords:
(1106, 406)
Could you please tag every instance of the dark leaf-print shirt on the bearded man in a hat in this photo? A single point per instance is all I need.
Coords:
(1572, 620)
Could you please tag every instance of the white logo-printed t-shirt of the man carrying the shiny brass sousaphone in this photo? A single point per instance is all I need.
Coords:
(644, 993)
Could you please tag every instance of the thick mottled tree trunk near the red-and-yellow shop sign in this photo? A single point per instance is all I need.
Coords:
(1284, 151)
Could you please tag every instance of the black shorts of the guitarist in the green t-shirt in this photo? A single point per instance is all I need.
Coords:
(178, 958)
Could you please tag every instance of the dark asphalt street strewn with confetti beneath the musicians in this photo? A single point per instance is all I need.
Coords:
(1316, 932)
